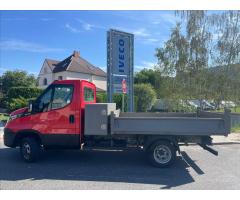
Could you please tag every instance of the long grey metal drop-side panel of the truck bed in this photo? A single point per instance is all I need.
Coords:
(203, 125)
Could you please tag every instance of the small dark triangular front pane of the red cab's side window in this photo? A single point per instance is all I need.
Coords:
(43, 103)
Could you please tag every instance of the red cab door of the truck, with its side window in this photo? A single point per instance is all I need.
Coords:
(56, 116)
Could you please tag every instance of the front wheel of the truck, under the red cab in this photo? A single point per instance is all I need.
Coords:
(29, 149)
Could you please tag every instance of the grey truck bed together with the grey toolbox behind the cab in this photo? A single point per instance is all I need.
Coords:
(174, 124)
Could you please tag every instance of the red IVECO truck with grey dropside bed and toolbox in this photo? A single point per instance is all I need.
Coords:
(67, 116)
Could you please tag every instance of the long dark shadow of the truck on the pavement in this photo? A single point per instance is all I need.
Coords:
(109, 166)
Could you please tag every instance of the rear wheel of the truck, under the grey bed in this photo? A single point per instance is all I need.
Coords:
(161, 154)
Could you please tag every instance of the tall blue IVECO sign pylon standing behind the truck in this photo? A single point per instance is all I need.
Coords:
(120, 63)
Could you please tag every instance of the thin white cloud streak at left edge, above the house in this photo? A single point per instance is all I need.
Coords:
(20, 45)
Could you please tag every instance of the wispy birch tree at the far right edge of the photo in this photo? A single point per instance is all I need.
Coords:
(227, 51)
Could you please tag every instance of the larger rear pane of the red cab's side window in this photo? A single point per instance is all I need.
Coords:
(62, 96)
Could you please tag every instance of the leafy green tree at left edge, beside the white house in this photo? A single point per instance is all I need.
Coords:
(17, 79)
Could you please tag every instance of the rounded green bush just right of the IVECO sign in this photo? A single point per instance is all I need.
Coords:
(146, 95)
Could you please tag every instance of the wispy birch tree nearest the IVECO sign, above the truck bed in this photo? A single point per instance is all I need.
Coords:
(185, 56)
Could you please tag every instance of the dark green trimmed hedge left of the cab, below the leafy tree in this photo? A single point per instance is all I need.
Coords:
(25, 92)
